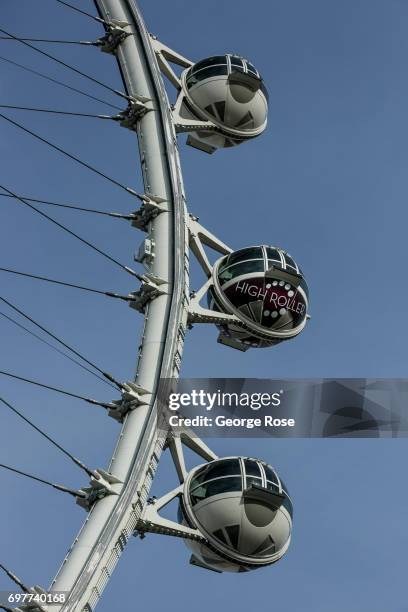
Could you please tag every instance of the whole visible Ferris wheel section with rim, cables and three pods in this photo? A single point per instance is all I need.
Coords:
(235, 513)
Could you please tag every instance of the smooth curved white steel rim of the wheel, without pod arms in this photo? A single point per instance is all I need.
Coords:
(92, 557)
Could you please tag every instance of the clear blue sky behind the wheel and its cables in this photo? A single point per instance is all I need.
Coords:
(327, 182)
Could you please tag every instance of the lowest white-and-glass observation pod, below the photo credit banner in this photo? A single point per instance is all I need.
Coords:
(244, 511)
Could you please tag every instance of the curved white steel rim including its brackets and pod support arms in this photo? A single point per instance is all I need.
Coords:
(165, 300)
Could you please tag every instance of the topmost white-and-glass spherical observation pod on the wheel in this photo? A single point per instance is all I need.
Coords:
(228, 91)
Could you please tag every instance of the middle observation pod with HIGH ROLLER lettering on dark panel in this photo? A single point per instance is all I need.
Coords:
(265, 289)
